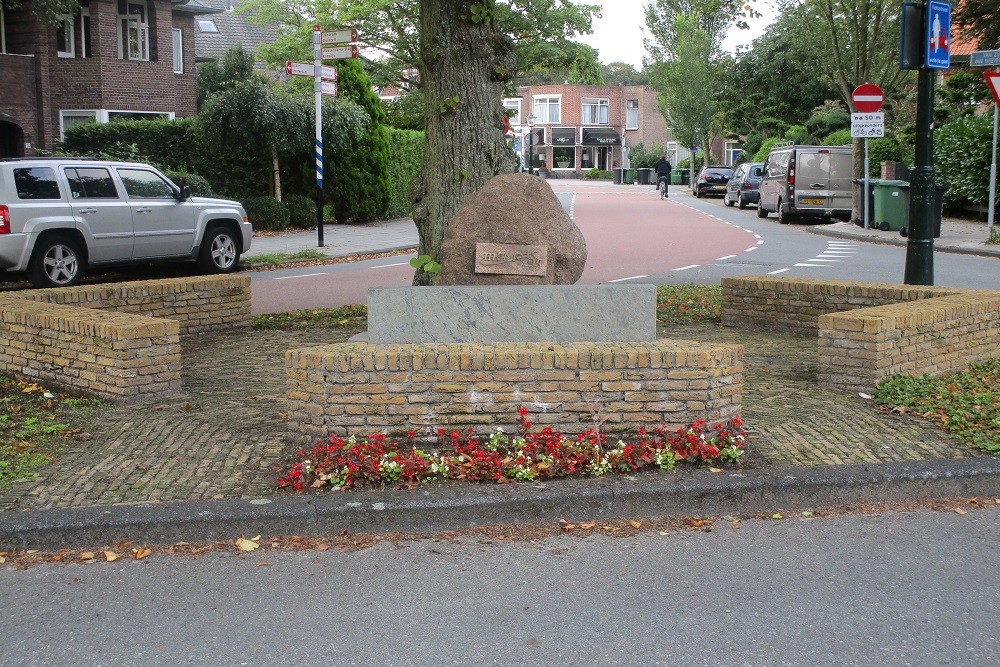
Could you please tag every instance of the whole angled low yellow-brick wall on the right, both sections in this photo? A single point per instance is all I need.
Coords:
(870, 331)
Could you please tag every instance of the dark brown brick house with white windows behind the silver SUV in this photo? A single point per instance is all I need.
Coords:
(111, 59)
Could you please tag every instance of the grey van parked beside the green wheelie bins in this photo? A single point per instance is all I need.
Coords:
(807, 181)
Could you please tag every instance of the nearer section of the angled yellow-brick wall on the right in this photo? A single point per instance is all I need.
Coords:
(859, 348)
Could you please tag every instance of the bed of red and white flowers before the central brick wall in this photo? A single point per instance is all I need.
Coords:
(375, 461)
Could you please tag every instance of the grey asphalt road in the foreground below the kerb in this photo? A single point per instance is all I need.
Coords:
(915, 588)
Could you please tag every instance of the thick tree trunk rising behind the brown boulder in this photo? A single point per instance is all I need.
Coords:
(465, 62)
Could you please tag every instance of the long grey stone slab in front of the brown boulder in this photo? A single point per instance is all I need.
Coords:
(512, 313)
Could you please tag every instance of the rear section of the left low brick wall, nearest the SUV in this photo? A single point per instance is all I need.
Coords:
(196, 303)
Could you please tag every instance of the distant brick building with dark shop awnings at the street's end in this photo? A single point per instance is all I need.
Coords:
(579, 127)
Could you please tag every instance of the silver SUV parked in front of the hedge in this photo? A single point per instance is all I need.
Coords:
(62, 216)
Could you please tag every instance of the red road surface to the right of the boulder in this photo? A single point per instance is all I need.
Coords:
(631, 232)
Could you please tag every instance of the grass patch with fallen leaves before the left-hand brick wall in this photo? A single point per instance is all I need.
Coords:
(35, 425)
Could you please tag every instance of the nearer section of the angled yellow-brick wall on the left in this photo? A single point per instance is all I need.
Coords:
(117, 356)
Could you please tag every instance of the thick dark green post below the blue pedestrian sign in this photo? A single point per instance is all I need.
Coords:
(920, 240)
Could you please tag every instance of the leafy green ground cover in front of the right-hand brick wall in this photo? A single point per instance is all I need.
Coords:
(966, 403)
